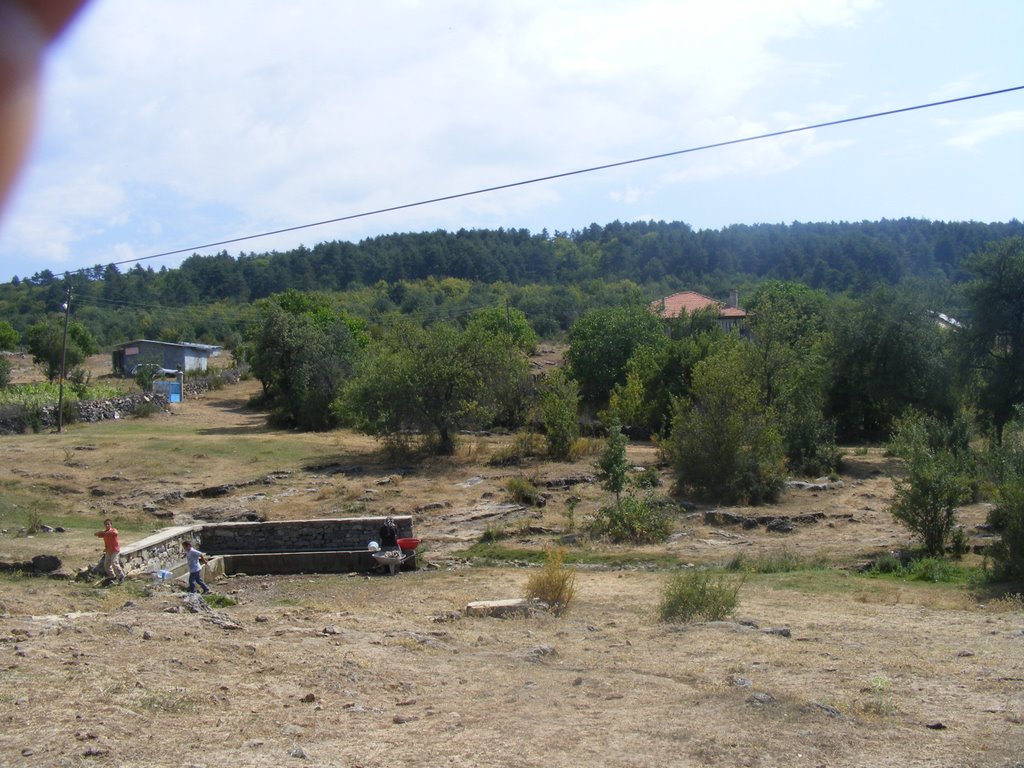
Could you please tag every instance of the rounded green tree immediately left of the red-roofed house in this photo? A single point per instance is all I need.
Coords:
(602, 344)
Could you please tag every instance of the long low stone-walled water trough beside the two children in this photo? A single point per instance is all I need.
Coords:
(280, 547)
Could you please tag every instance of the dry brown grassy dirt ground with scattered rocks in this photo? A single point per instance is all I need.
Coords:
(819, 668)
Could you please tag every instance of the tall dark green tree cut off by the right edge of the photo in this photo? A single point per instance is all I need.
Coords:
(994, 332)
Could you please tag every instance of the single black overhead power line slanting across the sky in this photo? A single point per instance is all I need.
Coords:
(566, 175)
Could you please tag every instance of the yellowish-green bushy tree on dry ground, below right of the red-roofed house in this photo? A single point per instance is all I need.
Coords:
(724, 443)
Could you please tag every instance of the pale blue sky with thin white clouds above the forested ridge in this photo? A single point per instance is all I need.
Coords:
(170, 125)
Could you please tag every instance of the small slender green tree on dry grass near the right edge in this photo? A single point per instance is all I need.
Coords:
(937, 481)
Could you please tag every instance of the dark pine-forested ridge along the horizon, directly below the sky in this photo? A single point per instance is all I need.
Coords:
(658, 258)
